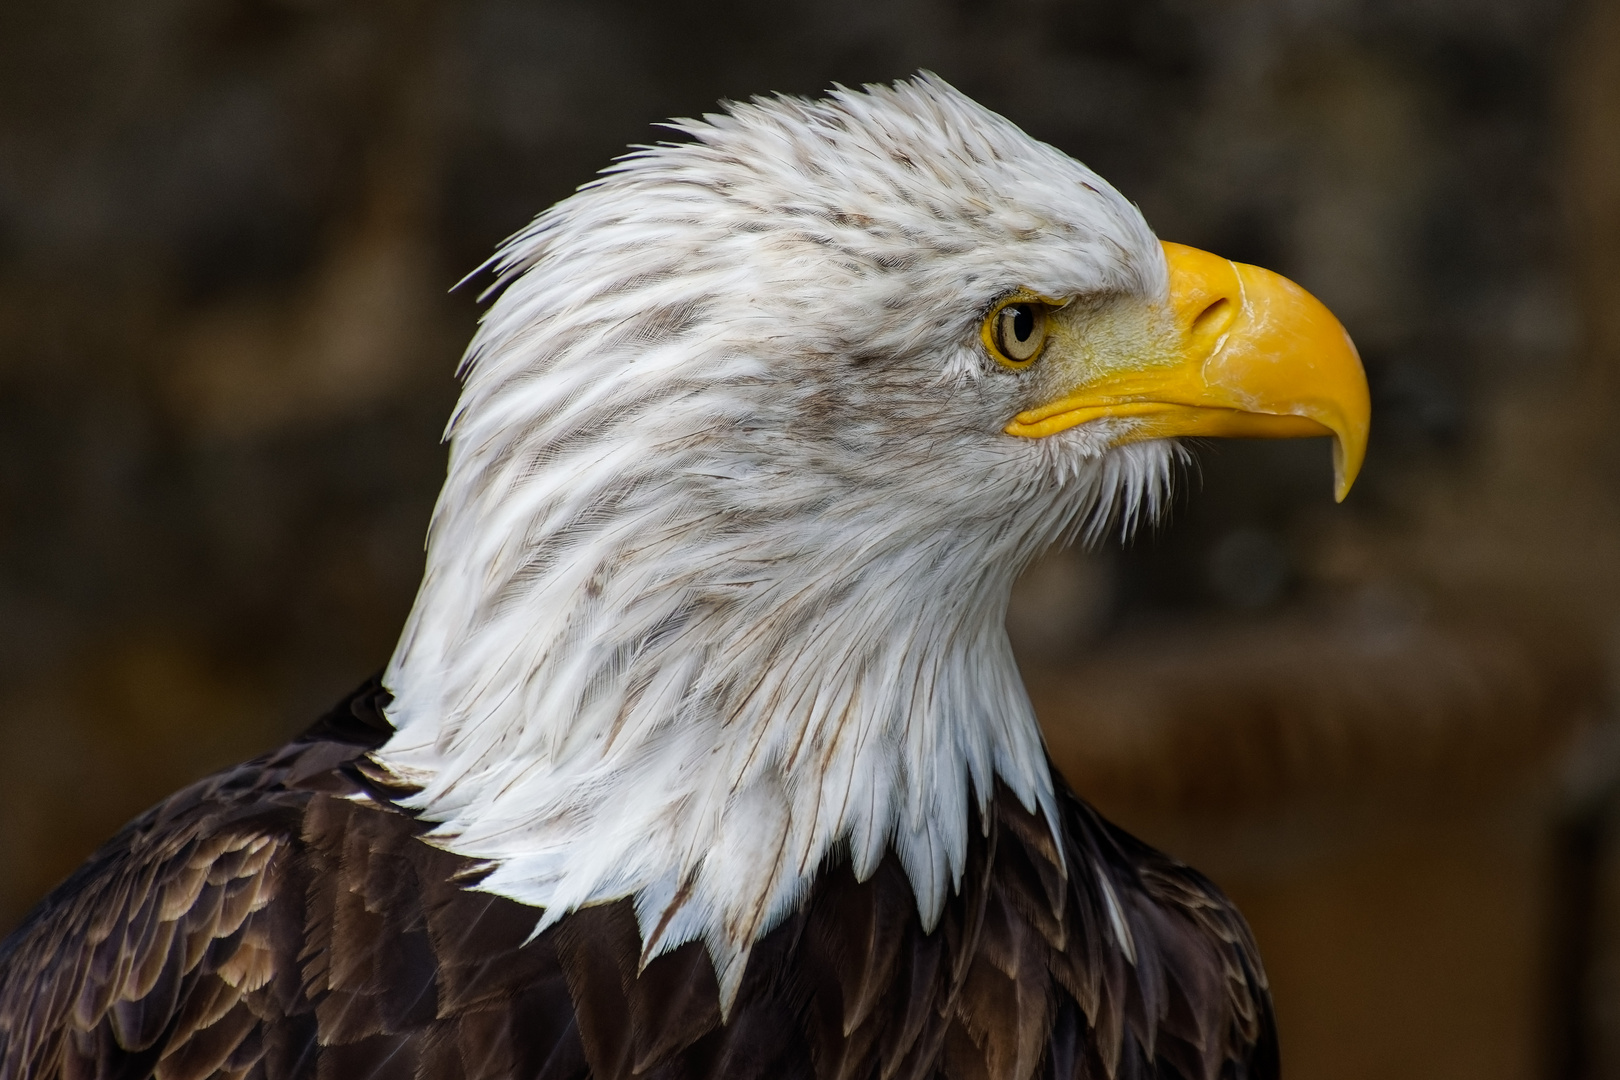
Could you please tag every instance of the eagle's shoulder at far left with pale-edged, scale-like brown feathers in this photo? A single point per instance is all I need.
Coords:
(174, 945)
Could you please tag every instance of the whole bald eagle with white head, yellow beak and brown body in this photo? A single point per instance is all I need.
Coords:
(704, 752)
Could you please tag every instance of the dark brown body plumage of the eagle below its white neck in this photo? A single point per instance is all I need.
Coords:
(284, 921)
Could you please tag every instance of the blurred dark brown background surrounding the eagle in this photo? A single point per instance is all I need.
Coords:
(229, 227)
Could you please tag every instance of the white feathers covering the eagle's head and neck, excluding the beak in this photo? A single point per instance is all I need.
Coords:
(717, 584)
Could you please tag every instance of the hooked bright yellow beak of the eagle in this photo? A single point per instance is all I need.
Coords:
(1253, 355)
